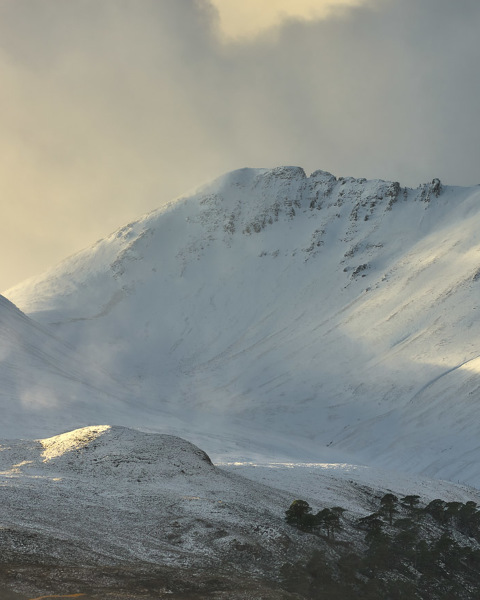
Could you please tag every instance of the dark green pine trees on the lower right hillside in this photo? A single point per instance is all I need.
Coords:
(408, 552)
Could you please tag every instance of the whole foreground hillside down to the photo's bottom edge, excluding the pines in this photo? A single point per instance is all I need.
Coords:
(111, 512)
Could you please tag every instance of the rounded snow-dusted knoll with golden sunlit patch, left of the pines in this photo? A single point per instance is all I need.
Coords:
(107, 495)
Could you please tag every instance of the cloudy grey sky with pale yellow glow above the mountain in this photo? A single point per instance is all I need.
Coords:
(110, 108)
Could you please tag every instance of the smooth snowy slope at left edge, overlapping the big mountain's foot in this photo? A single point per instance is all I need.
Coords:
(46, 384)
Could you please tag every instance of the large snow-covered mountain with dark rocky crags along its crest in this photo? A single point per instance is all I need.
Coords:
(309, 314)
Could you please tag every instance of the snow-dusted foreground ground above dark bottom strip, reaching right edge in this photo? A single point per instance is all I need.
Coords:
(115, 496)
